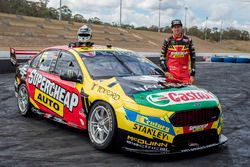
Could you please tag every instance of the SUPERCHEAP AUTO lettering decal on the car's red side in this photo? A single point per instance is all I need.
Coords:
(52, 95)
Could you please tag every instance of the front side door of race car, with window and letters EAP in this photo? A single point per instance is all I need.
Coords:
(71, 98)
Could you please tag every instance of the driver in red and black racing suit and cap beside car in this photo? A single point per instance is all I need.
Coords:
(178, 56)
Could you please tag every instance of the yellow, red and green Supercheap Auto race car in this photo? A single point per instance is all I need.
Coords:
(121, 98)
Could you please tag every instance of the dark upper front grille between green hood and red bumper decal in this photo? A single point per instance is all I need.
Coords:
(195, 117)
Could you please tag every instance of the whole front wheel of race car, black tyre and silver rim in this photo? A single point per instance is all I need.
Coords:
(102, 126)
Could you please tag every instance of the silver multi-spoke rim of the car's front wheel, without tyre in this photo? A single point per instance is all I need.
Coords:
(100, 124)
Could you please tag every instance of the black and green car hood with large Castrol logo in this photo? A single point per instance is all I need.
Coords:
(153, 91)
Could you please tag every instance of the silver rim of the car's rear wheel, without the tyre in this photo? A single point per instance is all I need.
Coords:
(23, 99)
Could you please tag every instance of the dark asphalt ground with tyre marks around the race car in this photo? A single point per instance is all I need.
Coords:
(37, 141)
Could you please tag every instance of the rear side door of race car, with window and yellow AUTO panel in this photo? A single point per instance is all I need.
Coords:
(40, 84)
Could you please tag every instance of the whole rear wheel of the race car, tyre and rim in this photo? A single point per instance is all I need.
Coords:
(23, 102)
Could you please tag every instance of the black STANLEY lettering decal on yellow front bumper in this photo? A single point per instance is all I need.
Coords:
(152, 132)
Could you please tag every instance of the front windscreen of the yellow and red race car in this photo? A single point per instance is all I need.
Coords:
(106, 64)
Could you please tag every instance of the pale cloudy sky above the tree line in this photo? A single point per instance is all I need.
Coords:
(228, 13)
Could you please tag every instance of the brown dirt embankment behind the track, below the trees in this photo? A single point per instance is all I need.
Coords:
(37, 33)
